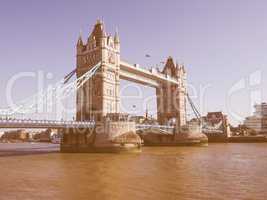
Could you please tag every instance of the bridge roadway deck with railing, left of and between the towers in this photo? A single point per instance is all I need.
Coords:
(58, 124)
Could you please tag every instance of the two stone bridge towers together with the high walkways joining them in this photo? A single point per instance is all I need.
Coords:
(100, 95)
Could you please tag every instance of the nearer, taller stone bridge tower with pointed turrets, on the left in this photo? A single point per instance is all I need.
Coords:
(100, 95)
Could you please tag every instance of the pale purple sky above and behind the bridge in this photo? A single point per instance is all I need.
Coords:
(221, 43)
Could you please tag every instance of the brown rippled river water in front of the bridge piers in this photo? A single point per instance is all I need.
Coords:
(219, 171)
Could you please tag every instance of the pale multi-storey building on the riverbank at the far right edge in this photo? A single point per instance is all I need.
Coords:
(258, 121)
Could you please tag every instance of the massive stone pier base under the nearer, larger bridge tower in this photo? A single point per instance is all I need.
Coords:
(107, 136)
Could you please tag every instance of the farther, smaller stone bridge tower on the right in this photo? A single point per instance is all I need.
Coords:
(171, 98)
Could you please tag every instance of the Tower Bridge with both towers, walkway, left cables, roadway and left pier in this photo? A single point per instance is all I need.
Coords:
(99, 71)
